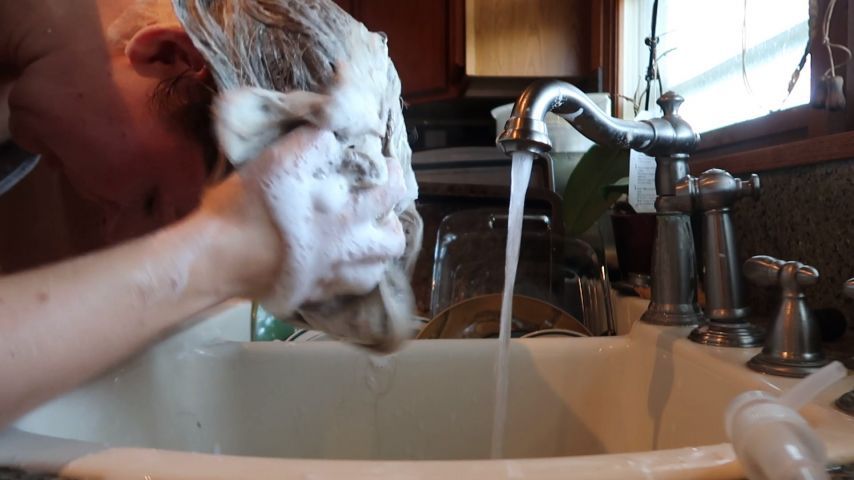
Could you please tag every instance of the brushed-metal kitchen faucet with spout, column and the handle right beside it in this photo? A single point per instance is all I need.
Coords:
(670, 139)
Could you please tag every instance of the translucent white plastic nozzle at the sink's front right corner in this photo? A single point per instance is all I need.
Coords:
(771, 439)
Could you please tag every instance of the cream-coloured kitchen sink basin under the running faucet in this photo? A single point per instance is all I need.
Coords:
(649, 402)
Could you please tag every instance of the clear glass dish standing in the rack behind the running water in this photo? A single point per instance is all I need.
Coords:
(565, 272)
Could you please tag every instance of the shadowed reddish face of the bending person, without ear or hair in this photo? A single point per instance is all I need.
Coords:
(88, 108)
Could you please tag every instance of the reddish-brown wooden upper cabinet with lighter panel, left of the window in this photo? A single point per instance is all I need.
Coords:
(439, 45)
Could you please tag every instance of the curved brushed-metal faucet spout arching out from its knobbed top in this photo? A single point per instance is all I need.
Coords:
(526, 128)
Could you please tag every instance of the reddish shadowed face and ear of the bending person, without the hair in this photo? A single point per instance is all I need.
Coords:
(112, 118)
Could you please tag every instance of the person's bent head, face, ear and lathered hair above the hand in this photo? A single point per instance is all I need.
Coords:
(118, 92)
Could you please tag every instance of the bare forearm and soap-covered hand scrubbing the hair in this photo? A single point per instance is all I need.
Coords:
(263, 232)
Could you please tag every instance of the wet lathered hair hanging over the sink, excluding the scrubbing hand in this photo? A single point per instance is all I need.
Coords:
(309, 46)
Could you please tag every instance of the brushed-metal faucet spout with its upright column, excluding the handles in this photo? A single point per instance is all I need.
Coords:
(669, 138)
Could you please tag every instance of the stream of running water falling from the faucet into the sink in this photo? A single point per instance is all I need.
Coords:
(520, 175)
